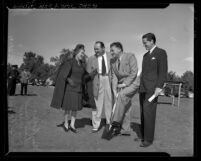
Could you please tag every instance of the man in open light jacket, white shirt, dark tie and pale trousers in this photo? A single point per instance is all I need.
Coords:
(101, 84)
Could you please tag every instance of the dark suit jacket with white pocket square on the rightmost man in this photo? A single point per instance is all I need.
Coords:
(154, 70)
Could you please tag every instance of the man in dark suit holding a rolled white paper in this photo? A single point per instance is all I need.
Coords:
(153, 76)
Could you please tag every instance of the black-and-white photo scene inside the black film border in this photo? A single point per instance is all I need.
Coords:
(101, 80)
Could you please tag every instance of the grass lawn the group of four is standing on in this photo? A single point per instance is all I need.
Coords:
(33, 127)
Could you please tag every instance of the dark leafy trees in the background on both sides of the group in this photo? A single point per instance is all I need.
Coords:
(42, 71)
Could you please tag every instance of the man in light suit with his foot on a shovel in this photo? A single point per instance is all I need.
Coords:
(126, 83)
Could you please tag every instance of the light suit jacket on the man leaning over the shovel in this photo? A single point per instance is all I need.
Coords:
(127, 72)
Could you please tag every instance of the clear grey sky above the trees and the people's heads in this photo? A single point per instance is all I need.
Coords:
(47, 31)
